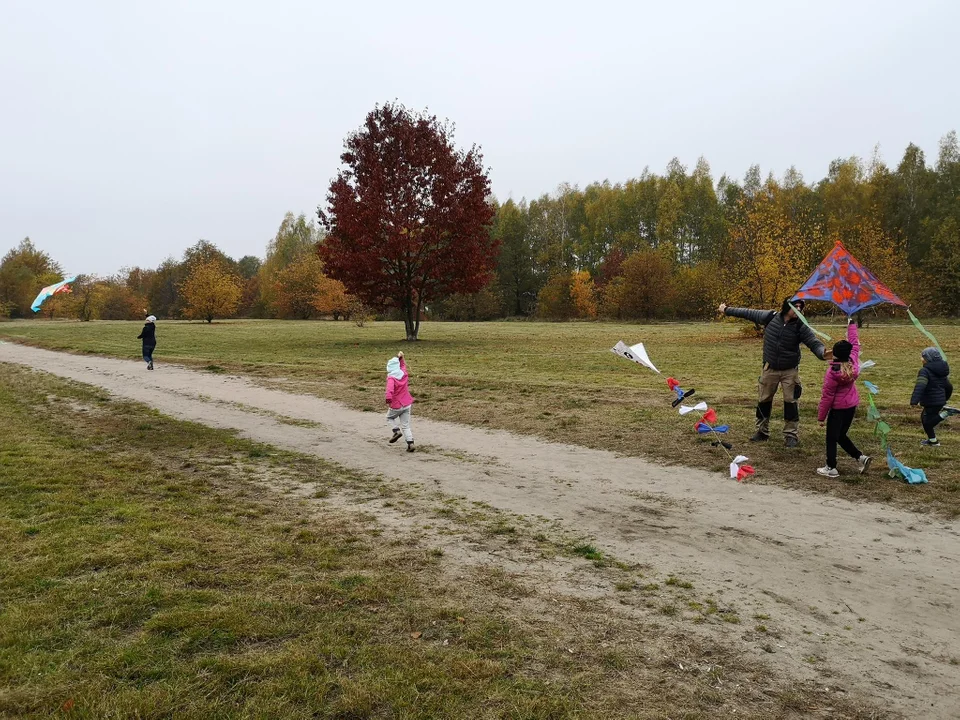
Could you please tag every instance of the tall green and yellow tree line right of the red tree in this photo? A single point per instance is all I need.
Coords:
(676, 244)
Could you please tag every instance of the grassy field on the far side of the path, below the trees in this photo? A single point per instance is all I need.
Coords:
(559, 381)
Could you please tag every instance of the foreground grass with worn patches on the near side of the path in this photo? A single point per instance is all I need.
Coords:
(145, 571)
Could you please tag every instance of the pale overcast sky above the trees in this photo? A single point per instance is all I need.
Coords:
(130, 129)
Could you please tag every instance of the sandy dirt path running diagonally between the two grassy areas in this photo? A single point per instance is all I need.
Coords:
(861, 594)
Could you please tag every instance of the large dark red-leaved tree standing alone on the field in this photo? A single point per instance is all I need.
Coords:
(408, 216)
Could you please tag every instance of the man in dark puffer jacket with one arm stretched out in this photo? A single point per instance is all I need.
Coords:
(782, 334)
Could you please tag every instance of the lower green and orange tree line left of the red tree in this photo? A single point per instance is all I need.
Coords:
(203, 284)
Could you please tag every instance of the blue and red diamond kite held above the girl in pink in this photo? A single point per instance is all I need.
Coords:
(842, 280)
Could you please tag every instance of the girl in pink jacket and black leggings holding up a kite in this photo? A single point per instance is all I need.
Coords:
(839, 402)
